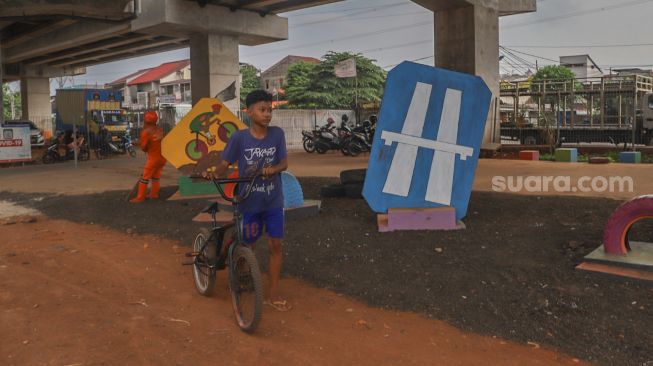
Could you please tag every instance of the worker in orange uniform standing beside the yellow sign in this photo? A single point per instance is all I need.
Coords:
(150, 142)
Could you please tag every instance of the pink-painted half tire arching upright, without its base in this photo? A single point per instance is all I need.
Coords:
(615, 234)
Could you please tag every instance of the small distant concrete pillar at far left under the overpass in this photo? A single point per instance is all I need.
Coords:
(35, 98)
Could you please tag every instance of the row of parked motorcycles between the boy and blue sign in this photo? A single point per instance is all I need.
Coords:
(350, 141)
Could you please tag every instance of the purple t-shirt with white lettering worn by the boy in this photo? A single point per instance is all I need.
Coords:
(253, 155)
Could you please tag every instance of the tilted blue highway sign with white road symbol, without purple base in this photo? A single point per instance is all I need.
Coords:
(428, 139)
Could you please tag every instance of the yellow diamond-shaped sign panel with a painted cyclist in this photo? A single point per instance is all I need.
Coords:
(194, 145)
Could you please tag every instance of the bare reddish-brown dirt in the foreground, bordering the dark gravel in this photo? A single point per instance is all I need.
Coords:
(120, 299)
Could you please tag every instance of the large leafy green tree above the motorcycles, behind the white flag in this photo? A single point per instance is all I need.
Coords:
(316, 86)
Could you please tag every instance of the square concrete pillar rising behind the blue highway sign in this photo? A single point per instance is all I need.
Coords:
(466, 40)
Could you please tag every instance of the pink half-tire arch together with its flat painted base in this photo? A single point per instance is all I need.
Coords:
(619, 255)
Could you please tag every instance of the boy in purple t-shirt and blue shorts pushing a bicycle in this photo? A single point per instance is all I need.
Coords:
(261, 148)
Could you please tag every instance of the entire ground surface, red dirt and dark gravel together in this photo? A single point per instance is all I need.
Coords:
(97, 281)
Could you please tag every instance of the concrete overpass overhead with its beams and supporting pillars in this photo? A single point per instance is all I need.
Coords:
(49, 38)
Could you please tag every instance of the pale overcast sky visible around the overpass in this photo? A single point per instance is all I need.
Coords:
(615, 33)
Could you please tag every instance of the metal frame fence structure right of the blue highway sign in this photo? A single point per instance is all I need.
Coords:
(610, 109)
